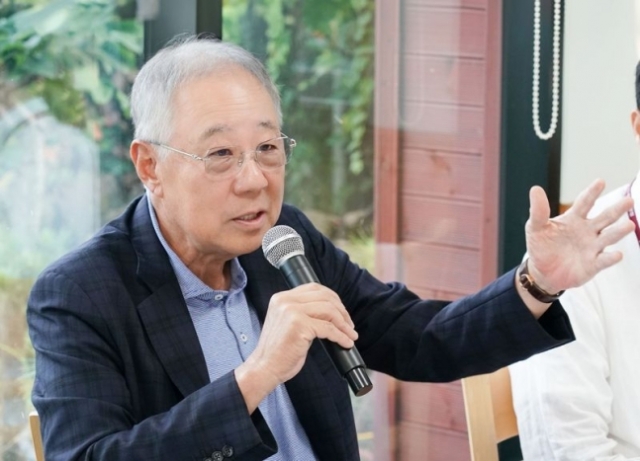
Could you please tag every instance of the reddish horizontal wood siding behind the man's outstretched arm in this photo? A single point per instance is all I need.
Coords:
(445, 107)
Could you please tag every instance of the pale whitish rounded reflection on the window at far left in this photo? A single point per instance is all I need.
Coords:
(48, 179)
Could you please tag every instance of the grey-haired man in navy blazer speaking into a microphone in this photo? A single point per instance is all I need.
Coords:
(168, 336)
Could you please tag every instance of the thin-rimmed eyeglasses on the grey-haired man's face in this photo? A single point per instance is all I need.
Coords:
(221, 162)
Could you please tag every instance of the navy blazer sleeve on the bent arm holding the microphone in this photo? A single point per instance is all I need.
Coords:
(84, 401)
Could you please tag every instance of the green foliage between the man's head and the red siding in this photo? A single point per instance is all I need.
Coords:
(321, 55)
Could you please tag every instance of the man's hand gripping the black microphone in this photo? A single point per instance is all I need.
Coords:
(294, 319)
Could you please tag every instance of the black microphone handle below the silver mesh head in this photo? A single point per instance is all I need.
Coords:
(297, 271)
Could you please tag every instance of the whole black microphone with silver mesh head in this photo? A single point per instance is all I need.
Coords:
(283, 248)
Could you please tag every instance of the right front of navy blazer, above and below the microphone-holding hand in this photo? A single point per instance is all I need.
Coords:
(311, 390)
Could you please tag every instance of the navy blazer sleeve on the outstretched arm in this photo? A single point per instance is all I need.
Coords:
(430, 340)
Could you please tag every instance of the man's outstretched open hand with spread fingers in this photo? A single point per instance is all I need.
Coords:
(567, 251)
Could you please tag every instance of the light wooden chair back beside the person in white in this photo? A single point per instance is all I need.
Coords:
(491, 419)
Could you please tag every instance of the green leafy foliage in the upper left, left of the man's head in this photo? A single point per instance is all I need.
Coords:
(81, 57)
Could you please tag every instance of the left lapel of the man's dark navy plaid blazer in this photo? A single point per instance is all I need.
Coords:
(164, 312)
